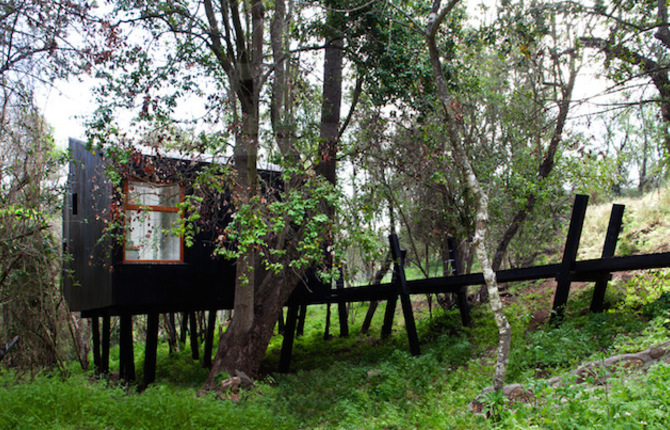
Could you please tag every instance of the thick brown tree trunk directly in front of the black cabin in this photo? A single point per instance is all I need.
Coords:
(237, 349)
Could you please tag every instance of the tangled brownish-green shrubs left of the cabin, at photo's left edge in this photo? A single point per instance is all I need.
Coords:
(30, 199)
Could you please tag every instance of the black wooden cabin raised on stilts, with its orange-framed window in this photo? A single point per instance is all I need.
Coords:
(124, 255)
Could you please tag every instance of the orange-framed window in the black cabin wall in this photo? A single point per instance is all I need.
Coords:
(151, 214)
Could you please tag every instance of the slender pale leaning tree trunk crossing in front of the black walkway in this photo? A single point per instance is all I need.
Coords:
(462, 160)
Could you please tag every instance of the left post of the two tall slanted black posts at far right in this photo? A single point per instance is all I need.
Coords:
(569, 257)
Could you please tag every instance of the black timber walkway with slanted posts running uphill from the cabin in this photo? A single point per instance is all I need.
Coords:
(567, 271)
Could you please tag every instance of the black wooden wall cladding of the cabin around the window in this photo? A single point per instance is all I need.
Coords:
(96, 279)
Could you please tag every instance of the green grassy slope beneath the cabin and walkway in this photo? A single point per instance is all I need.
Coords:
(363, 382)
